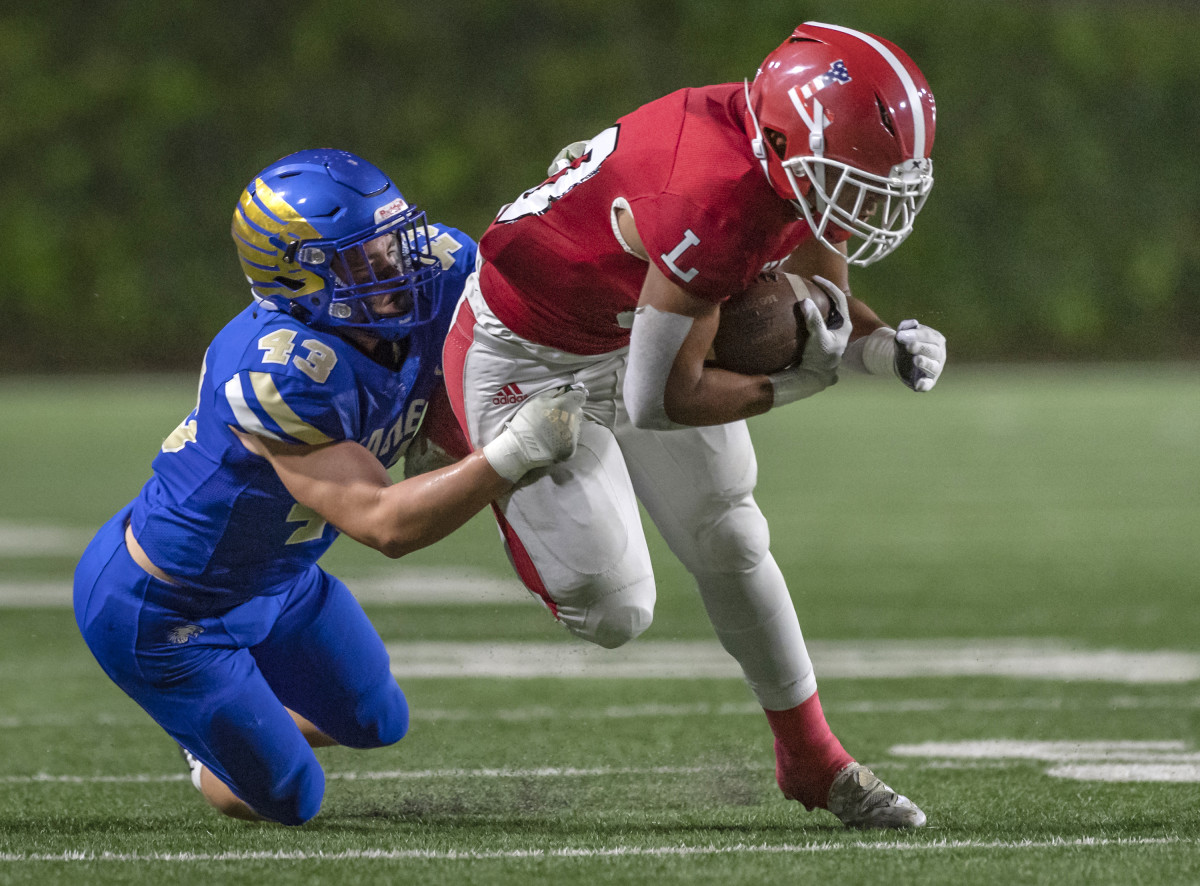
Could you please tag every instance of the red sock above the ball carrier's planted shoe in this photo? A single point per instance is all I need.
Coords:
(808, 756)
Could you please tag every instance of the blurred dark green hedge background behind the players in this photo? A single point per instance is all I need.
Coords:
(1064, 225)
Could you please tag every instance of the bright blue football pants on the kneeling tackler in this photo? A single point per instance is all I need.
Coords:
(220, 685)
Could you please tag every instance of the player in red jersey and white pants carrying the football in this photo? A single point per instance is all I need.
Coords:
(613, 274)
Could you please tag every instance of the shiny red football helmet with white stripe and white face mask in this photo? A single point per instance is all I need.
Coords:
(843, 123)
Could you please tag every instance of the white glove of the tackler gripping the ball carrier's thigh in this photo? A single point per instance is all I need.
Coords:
(542, 433)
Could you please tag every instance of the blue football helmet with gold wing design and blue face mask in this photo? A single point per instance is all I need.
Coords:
(327, 237)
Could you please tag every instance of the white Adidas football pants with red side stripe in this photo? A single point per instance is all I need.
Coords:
(574, 531)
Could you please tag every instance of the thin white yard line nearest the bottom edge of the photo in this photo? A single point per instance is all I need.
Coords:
(620, 852)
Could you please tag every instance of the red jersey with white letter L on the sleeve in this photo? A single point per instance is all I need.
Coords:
(557, 274)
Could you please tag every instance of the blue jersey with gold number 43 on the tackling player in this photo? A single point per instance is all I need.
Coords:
(218, 518)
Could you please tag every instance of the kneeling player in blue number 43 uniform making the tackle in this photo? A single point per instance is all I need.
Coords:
(202, 598)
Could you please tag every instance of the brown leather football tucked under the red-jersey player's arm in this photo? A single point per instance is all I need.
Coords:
(763, 330)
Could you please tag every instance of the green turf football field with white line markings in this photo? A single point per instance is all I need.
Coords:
(998, 583)
